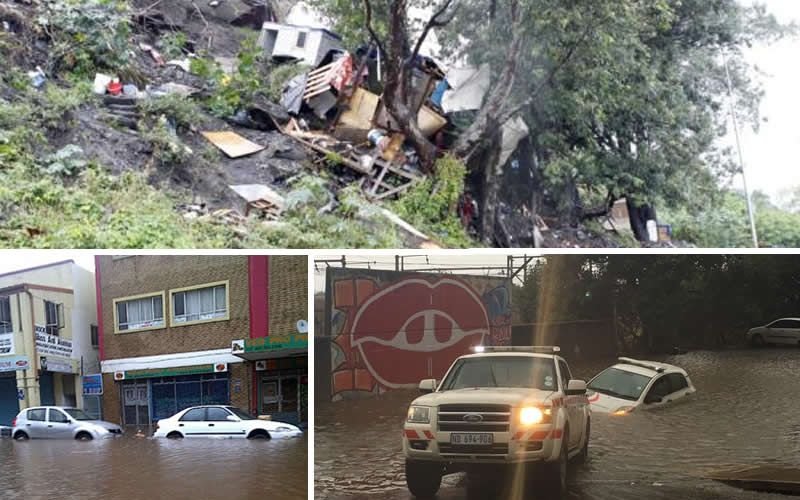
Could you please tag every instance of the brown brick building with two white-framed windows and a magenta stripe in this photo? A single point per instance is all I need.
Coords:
(169, 325)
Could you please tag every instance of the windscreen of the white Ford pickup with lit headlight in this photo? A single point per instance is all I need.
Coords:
(500, 371)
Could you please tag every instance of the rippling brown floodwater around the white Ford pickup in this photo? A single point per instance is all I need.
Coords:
(746, 411)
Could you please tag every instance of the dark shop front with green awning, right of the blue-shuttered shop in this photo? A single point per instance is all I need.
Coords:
(280, 375)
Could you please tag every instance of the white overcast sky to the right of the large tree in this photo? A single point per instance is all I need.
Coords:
(771, 158)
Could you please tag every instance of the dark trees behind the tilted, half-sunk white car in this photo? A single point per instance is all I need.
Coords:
(662, 301)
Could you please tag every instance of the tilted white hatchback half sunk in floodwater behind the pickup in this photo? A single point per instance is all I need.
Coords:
(633, 384)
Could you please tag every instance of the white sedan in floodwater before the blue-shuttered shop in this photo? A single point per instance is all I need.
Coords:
(221, 422)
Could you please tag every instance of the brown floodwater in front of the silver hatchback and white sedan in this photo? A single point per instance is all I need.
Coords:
(146, 468)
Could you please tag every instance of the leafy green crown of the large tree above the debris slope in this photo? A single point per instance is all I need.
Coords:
(626, 98)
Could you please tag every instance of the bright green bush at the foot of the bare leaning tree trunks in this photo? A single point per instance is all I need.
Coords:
(431, 205)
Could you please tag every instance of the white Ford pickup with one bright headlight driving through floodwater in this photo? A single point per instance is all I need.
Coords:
(497, 407)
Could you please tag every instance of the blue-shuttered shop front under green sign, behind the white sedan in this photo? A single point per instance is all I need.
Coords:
(150, 395)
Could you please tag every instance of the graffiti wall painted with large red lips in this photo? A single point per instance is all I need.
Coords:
(389, 330)
